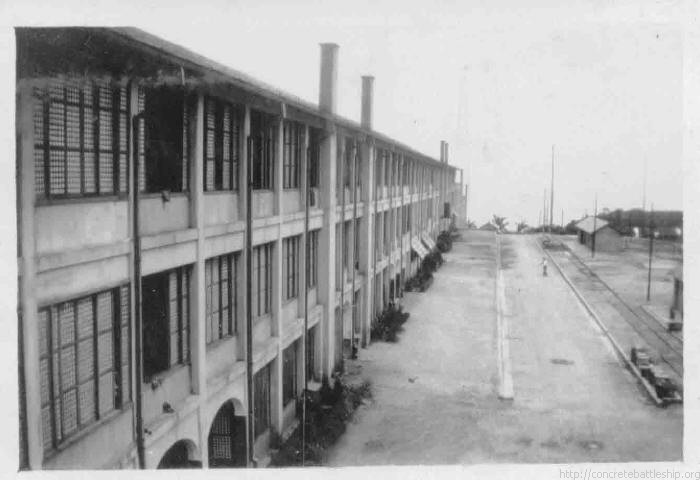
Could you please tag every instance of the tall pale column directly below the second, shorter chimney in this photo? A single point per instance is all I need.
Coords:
(367, 247)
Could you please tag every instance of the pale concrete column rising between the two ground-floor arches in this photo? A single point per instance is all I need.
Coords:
(197, 296)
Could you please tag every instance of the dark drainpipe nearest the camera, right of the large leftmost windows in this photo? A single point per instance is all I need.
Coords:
(138, 329)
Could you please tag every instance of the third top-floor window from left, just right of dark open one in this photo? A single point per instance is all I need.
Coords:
(222, 130)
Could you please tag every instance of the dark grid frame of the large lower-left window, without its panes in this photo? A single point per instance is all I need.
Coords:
(51, 351)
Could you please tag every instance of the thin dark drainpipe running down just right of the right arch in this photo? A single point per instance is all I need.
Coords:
(249, 301)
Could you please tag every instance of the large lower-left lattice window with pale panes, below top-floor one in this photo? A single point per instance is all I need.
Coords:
(83, 363)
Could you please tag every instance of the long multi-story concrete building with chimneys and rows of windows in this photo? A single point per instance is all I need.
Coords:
(163, 240)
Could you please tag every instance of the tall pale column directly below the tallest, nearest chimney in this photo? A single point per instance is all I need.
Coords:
(327, 247)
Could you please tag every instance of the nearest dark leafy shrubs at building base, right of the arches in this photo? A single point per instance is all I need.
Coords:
(326, 418)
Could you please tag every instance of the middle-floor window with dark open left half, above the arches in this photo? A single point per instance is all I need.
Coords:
(165, 300)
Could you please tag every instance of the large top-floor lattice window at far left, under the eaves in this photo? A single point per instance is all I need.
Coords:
(80, 139)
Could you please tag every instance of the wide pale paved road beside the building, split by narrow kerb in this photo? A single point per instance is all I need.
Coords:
(436, 390)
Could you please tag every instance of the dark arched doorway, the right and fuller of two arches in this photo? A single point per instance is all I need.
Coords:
(227, 439)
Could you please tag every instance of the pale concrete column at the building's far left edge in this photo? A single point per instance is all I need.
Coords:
(27, 273)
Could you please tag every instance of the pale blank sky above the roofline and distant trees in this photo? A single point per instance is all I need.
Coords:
(601, 81)
